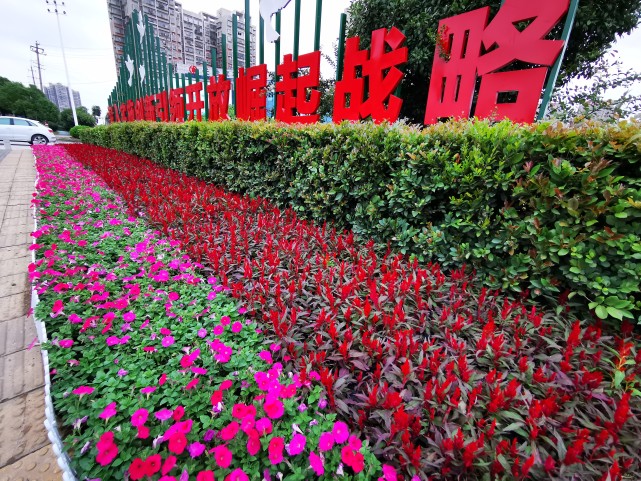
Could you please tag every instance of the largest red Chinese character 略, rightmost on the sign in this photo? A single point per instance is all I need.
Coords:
(470, 48)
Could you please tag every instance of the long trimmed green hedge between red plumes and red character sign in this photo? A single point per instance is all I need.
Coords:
(542, 207)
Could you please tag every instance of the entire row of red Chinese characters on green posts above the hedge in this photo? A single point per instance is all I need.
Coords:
(487, 67)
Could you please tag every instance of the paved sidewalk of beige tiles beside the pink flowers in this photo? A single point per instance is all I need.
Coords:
(25, 450)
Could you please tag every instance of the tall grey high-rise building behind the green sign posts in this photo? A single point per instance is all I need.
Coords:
(186, 37)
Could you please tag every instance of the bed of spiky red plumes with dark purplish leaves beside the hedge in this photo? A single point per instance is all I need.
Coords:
(445, 379)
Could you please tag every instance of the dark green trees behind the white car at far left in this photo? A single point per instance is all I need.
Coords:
(29, 102)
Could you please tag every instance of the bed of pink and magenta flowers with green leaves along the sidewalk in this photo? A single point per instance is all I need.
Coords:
(156, 372)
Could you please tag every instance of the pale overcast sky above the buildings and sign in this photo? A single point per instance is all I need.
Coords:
(87, 41)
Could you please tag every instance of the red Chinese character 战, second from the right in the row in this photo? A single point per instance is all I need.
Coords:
(378, 66)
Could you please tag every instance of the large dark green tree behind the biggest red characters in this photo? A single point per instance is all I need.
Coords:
(597, 25)
